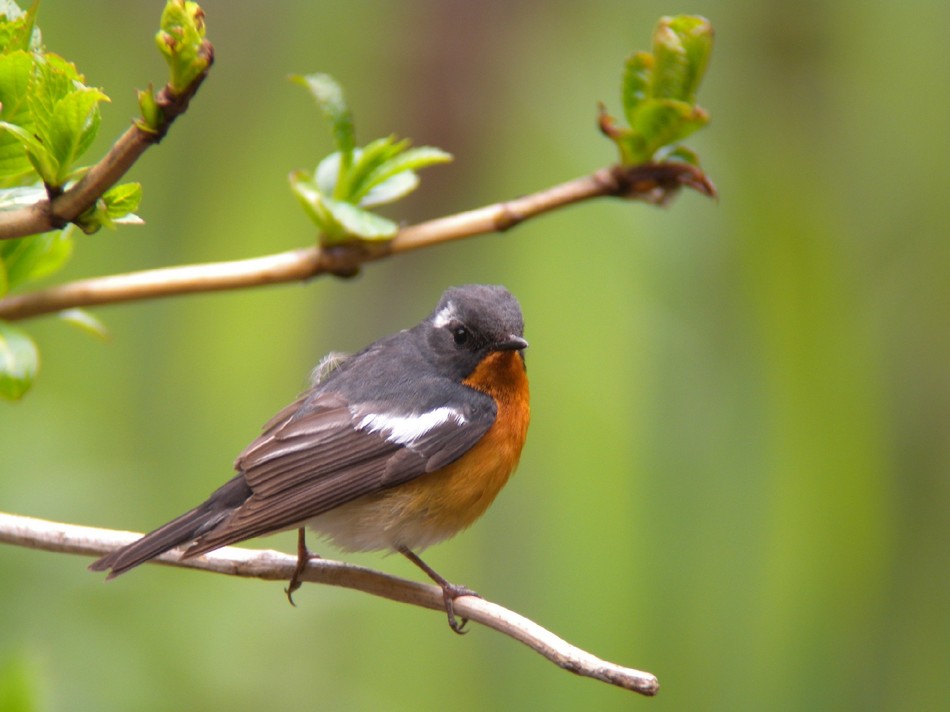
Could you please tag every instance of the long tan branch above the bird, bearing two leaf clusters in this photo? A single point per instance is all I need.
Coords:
(654, 183)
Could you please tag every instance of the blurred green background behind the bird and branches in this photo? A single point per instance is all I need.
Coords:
(737, 471)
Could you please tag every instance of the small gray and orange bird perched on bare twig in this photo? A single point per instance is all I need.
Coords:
(396, 447)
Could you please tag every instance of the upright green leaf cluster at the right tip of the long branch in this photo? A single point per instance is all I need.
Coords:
(659, 93)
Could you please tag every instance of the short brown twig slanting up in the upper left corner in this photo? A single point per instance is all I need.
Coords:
(58, 210)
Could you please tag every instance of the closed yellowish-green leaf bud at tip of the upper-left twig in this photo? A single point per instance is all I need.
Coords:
(180, 39)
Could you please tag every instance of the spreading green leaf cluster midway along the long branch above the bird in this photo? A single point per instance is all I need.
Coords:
(337, 194)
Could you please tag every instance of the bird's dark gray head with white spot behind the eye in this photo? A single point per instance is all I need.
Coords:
(471, 322)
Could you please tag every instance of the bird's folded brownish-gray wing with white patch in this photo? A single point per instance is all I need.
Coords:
(321, 452)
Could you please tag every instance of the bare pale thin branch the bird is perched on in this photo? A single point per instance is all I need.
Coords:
(272, 565)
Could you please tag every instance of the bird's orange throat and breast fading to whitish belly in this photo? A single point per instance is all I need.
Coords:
(438, 505)
